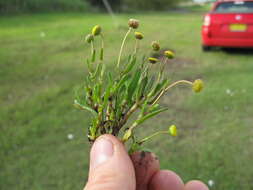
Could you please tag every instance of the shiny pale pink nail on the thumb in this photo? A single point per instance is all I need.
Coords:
(101, 151)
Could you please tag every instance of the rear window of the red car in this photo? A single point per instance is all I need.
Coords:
(235, 7)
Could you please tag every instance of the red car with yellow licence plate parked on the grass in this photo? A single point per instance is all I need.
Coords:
(228, 24)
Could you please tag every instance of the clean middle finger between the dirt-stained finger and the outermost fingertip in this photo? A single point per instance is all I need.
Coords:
(166, 180)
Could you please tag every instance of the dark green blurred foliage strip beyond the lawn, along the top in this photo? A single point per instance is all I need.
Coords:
(17, 6)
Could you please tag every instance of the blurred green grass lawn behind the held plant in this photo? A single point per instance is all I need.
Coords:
(38, 76)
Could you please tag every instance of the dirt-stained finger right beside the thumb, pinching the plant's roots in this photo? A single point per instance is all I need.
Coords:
(146, 164)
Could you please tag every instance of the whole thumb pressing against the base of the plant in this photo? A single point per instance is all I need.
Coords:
(110, 166)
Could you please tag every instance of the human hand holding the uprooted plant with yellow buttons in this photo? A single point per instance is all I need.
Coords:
(111, 168)
